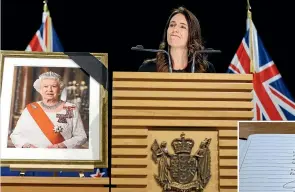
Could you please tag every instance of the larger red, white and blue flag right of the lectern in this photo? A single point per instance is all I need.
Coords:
(272, 100)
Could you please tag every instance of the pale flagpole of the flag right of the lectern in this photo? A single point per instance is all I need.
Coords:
(249, 20)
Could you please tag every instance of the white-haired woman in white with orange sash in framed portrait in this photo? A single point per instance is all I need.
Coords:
(51, 122)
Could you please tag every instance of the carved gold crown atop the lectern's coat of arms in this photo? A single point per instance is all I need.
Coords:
(182, 144)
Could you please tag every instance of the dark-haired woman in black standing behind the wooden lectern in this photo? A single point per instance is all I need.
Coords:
(182, 40)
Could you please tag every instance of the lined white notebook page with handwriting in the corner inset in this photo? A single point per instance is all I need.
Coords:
(268, 164)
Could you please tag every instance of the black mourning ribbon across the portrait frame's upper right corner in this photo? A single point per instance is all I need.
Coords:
(91, 65)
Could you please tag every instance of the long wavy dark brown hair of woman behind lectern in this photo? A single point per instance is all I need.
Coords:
(194, 44)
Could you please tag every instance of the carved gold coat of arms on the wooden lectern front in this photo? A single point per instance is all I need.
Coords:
(182, 171)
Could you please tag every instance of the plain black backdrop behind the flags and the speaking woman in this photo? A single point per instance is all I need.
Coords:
(114, 27)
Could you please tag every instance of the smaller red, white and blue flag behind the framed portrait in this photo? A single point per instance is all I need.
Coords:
(45, 39)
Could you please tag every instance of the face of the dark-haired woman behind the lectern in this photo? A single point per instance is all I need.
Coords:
(177, 32)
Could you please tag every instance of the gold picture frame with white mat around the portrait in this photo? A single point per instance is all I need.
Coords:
(37, 57)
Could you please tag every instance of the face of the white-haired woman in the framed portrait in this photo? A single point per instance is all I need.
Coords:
(50, 89)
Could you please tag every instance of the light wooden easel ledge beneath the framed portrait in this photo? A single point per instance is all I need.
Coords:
(51, 167)
